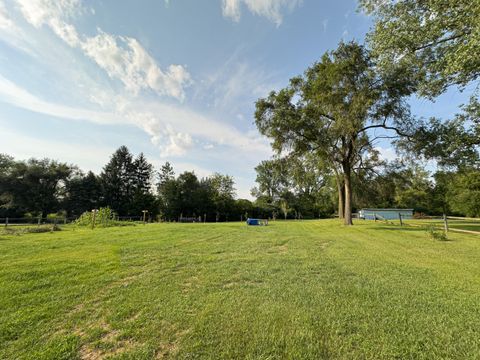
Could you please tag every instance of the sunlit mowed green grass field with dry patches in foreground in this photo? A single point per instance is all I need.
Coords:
(291, 290)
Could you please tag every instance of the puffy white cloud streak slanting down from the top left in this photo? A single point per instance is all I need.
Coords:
(122, 57)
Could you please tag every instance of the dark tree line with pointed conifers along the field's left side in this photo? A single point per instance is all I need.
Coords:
(127, 184)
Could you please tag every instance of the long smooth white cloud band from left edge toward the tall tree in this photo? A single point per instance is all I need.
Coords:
(171, 128)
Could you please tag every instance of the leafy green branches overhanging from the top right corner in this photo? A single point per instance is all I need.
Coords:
(437, 42)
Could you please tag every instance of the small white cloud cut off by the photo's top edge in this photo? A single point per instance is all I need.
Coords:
(271, 9)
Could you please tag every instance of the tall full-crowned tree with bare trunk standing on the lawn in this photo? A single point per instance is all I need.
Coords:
(333, 110)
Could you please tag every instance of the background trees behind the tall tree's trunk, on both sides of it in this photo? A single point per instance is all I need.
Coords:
(297, 188)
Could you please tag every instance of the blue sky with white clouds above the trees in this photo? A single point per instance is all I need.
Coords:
(174, 79)
